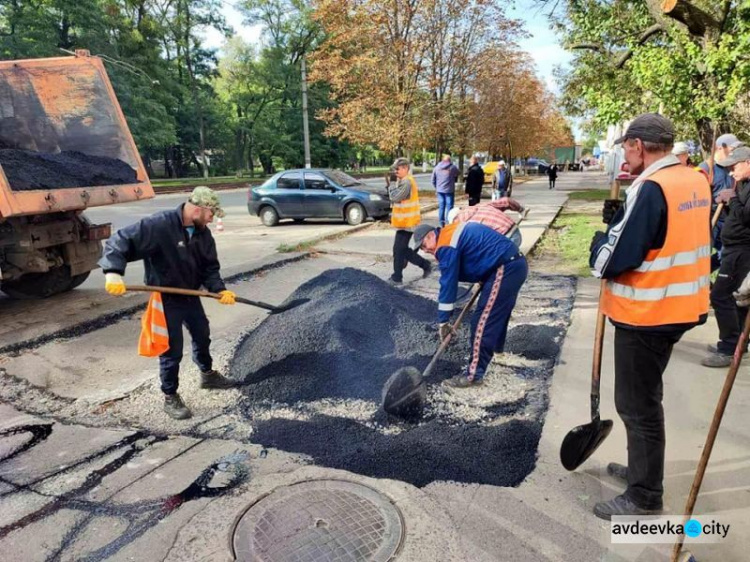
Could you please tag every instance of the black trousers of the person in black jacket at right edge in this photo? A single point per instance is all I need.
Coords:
(735, 265)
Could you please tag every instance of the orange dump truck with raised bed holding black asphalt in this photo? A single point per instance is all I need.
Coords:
(64, 147)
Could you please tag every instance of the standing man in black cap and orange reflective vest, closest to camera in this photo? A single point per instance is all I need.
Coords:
(655, 259)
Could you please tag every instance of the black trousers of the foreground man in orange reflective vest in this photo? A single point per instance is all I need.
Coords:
(640, 361)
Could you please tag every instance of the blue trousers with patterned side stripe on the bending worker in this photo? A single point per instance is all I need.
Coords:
(489, 324)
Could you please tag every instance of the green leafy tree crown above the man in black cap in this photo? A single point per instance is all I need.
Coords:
(685, 58)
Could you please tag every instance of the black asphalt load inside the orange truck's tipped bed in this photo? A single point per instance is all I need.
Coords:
(28, 170)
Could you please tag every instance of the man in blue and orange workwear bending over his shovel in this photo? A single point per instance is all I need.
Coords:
(475, 253)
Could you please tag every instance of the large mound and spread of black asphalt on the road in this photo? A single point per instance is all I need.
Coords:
(342, 346)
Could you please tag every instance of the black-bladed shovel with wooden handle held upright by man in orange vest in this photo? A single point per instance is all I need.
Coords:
(581, 442)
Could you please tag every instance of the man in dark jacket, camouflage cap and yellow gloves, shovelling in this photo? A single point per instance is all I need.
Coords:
(178, 250)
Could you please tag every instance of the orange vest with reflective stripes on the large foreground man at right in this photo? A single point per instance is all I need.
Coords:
(671, 286)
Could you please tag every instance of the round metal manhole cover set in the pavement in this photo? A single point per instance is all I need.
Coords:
(319, 521)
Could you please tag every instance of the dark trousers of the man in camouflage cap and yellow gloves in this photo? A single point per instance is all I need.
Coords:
(186, 311)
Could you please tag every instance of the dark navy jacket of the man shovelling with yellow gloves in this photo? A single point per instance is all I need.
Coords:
(171, 258)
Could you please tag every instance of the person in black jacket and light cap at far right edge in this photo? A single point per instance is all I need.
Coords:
(735, 258)
